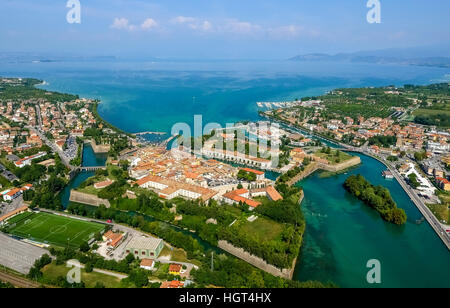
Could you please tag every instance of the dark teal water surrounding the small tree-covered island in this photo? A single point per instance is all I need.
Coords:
(343, 234)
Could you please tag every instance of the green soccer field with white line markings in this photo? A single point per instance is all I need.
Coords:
(53, 229)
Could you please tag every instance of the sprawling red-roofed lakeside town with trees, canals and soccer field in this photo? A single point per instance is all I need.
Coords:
(144, 218)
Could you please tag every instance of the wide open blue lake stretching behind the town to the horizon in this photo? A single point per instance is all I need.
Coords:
(142, 96)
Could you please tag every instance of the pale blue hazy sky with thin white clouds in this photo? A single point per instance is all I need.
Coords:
(263, 29)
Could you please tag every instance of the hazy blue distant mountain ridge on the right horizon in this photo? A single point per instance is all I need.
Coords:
(378, 57)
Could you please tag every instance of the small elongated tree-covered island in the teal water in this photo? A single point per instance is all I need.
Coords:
(377, 197)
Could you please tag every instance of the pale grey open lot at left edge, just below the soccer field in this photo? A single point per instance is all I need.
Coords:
(18, 255)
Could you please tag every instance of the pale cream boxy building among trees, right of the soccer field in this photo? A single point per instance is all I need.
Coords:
(145, 247)
